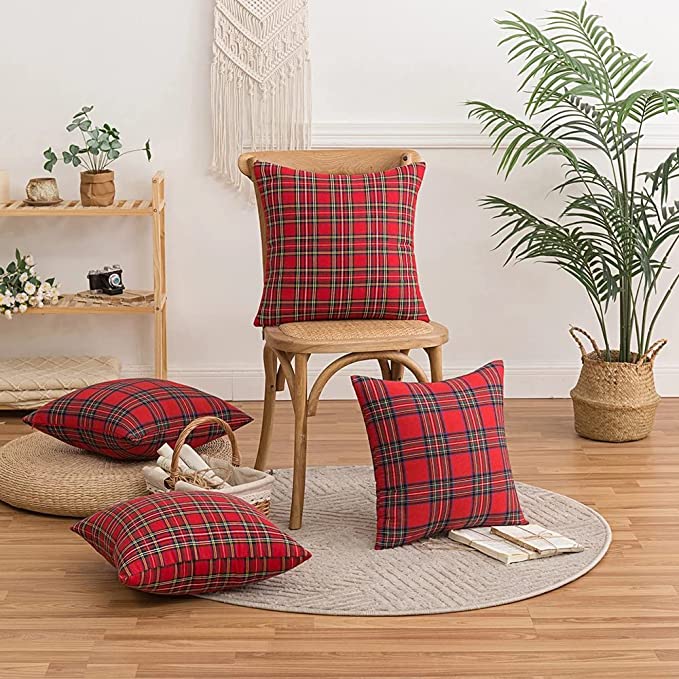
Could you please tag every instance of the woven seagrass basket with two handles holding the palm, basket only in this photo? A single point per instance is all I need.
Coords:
(613, 401)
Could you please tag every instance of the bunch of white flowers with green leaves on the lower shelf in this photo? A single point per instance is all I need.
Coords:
(21, 288)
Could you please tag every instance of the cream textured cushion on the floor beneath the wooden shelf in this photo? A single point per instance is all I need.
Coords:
(27, 383)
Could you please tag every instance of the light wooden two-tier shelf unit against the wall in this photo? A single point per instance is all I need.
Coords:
(154, 208)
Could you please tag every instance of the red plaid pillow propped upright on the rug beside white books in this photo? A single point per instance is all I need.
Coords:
(439, 454)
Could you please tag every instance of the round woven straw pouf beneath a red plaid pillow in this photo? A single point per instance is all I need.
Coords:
(43, 474)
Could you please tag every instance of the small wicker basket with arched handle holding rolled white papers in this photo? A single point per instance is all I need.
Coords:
(251, 485)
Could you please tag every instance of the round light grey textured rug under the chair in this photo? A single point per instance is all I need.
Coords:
(347, 576)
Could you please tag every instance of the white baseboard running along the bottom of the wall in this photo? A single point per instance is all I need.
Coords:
(537, 381)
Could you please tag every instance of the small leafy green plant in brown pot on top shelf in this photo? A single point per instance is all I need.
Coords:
(100, 147)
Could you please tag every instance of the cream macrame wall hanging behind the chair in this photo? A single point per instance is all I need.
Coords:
(261, 95)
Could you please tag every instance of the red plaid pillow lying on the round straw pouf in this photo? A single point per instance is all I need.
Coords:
(130, 419)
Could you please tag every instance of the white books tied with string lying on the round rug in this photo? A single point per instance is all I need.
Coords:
(512, 544)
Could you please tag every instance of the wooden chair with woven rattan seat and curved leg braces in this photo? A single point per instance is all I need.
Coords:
(287, 347)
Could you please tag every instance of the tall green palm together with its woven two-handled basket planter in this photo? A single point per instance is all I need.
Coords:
(618, 226)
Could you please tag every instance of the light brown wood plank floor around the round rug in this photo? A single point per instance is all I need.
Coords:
(63, 614)
